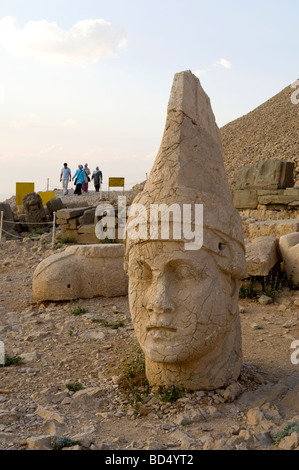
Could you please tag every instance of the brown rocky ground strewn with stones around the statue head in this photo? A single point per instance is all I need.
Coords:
(59, 348)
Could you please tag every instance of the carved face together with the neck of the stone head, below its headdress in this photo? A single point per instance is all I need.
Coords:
(185, 314)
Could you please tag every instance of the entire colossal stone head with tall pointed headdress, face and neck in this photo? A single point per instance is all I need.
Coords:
(184, 302)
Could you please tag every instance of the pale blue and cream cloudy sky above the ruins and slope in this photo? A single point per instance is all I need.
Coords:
(88, 81)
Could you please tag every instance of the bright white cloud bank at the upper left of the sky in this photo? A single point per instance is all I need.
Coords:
(87, 41)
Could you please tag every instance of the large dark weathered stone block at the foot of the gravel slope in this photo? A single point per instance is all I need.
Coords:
(267, 174)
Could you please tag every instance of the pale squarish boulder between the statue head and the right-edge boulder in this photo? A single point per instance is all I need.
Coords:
(261, 255)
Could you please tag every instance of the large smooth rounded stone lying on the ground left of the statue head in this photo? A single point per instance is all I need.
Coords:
(81, 272)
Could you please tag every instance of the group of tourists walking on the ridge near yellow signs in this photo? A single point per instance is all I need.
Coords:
(81, 178)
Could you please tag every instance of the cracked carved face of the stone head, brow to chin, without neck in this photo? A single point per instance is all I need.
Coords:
(180, 301)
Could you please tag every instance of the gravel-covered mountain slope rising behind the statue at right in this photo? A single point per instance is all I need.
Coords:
(269, 131)
